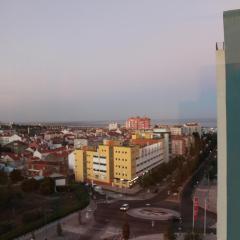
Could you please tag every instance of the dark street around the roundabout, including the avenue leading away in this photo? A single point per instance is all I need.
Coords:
(107, 219)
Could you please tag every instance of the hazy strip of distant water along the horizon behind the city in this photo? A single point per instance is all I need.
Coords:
(203, 122)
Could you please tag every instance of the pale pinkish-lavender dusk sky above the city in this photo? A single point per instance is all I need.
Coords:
(86, 60)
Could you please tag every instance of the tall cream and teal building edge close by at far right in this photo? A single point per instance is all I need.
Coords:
(228, 83)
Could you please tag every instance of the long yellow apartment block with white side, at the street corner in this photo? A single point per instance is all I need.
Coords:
(118, 165)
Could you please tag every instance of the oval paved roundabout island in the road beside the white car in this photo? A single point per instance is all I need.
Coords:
(152, 213)
